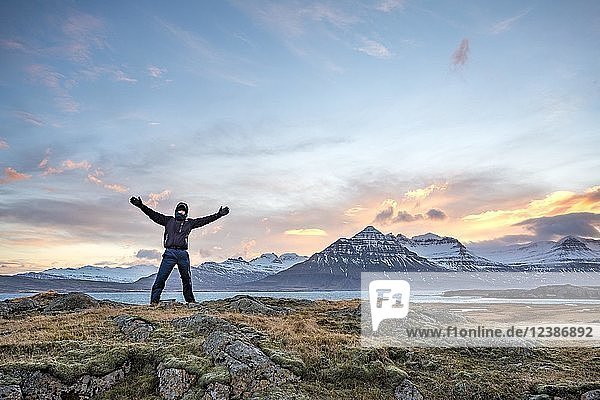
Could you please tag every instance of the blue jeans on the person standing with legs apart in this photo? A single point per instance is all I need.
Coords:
(170, 258)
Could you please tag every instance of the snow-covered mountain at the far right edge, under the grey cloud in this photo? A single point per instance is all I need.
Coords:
(567, 253)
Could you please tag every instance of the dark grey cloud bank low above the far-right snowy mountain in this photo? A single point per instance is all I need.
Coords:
(579, 224)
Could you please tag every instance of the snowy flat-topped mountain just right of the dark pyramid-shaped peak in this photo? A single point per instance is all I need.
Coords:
(447, 251)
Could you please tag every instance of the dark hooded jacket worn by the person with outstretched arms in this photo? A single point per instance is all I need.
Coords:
(177, 231)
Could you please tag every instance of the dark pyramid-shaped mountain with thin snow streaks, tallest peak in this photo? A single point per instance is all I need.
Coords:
(339, 265)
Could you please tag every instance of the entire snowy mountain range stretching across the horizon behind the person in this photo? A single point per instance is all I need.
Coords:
(337, 267)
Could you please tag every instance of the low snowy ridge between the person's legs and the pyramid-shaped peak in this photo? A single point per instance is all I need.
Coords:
(231, 272)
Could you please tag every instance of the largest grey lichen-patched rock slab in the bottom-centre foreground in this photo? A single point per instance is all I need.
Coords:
(250, 369)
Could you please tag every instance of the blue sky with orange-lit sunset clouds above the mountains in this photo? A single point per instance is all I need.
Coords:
(309, 119)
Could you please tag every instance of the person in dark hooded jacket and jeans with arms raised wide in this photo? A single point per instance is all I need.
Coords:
(177, 229)
